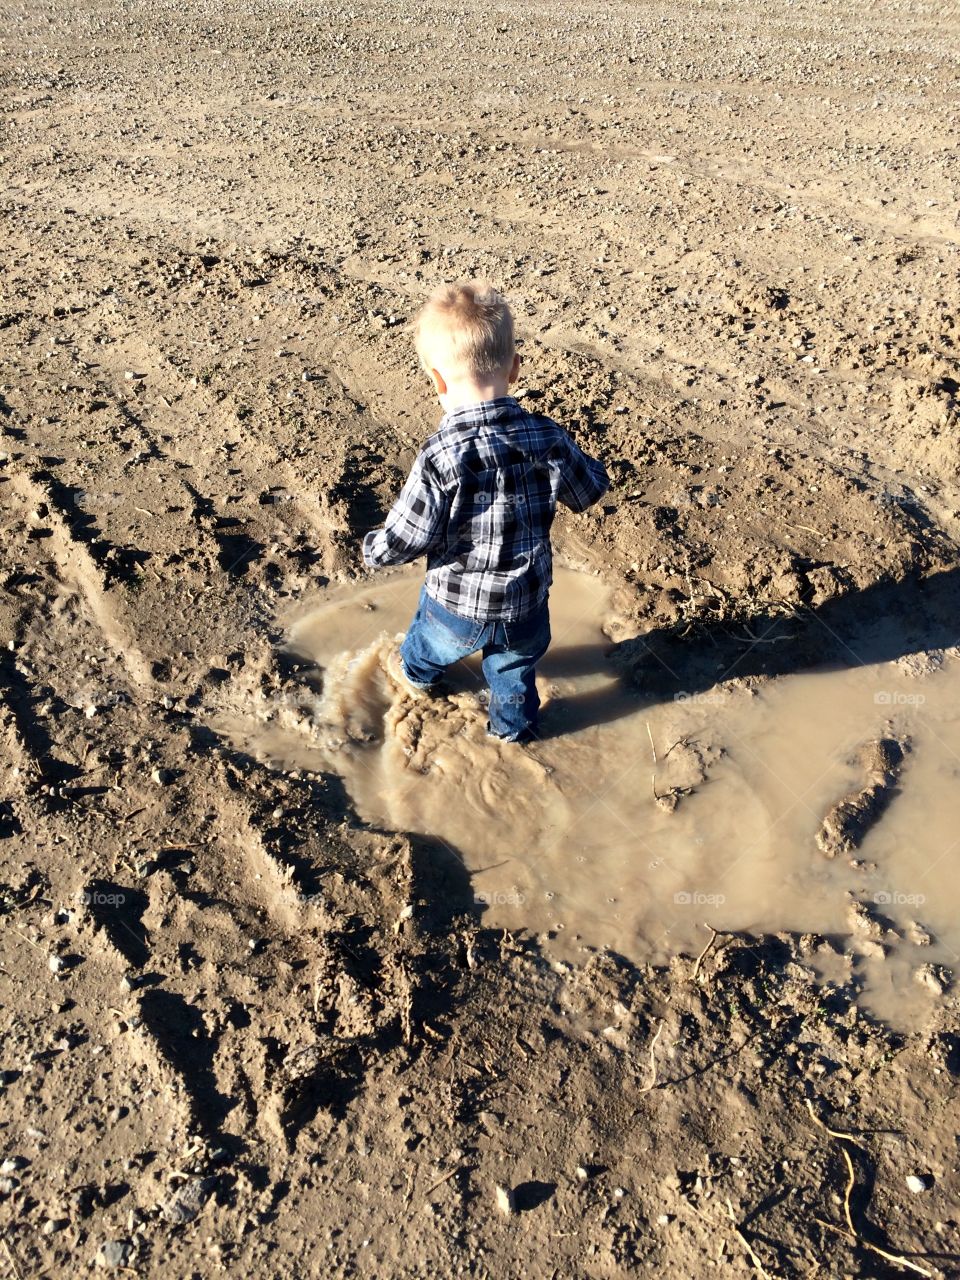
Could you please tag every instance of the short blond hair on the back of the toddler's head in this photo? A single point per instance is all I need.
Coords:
(468, 327)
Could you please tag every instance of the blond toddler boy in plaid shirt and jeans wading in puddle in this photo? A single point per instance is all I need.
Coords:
(479, 504)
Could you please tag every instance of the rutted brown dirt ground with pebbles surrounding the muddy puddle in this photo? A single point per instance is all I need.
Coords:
(241, 1031)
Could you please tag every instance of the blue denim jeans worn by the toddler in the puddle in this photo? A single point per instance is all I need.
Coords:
(438, 638)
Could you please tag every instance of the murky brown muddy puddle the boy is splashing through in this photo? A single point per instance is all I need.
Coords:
(588, 842)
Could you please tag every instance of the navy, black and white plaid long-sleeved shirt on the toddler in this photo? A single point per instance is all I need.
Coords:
(479, 504)
